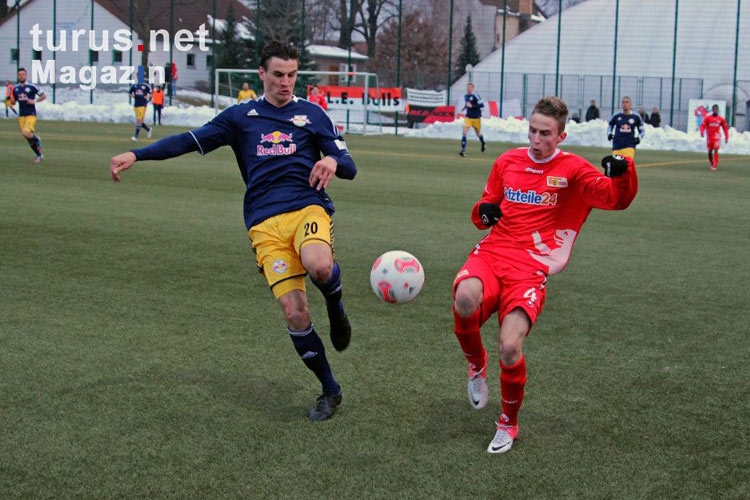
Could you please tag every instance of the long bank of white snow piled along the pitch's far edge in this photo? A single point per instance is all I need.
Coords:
(73, 104)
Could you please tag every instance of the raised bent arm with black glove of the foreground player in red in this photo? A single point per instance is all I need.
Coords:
(614, 189)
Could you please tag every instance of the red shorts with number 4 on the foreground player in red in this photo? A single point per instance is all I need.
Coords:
(505, 287)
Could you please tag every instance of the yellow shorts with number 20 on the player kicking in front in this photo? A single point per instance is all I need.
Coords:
(277, 242)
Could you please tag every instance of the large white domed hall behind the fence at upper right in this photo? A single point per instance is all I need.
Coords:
(703, 59)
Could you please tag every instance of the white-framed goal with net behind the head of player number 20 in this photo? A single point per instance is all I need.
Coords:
(354, 101)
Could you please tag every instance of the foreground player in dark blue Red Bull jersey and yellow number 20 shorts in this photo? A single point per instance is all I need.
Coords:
(288, 152)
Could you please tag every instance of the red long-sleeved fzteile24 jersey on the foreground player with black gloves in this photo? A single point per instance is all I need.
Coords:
(544, 204)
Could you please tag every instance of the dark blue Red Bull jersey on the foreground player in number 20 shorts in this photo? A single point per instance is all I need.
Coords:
(276, 149)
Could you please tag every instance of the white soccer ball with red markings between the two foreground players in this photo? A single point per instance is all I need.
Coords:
(397, 277)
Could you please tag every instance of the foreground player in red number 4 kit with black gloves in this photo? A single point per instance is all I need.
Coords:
(535, 201)
